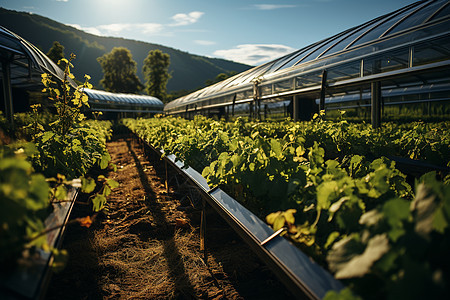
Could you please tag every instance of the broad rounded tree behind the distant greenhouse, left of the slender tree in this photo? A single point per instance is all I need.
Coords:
(119, 71)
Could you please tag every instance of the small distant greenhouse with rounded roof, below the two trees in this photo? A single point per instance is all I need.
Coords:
(123, 104)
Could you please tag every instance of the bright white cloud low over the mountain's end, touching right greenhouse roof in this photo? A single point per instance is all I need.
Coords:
(254, 54)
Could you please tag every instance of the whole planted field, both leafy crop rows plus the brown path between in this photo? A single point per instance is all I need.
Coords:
(372, 206)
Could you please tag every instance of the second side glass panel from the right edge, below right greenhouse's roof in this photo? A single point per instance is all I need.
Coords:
(386, 62)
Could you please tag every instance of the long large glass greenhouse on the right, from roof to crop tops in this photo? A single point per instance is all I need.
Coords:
(396, 64)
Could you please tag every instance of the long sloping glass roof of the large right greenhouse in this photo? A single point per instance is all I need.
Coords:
(414, 23)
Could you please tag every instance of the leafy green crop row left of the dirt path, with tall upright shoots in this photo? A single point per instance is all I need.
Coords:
(36, 172)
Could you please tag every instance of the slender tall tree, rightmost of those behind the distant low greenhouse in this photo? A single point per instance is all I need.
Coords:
(156, 73)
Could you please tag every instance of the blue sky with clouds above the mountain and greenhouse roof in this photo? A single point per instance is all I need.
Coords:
(247, 31)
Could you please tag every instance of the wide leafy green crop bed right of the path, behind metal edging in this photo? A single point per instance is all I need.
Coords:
(333, 189)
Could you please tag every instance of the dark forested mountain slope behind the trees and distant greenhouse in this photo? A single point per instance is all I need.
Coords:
(188, 71)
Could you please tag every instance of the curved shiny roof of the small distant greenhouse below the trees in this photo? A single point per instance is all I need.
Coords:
(117, 98)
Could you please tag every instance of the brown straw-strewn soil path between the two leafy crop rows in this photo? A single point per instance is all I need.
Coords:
(146, 245)
